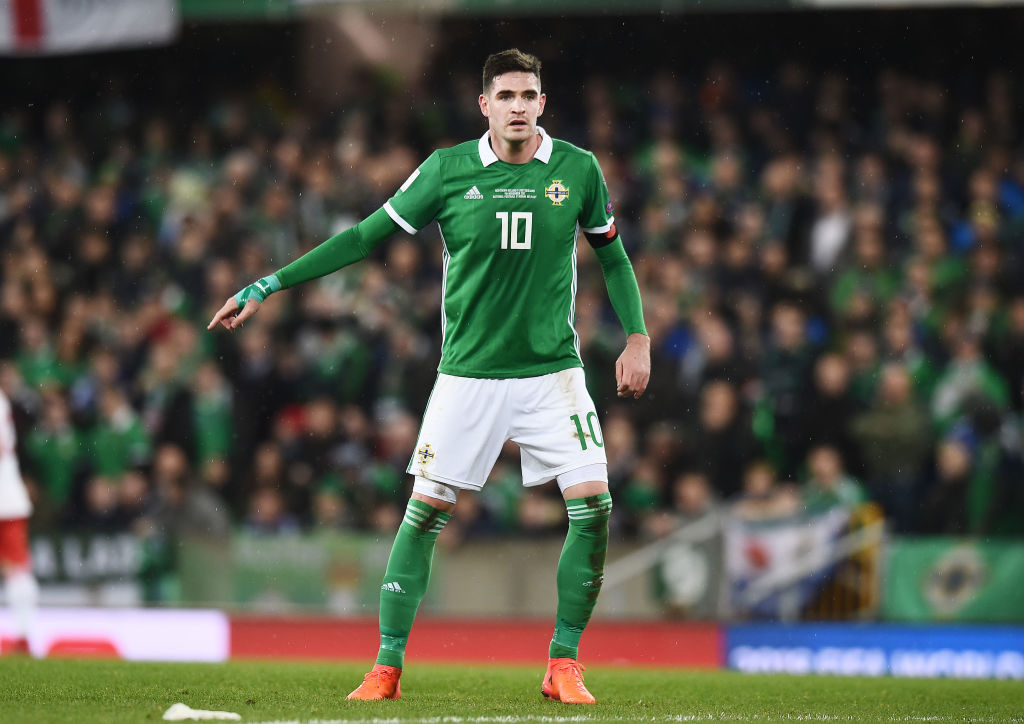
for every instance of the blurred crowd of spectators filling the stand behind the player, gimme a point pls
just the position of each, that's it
(832, 278)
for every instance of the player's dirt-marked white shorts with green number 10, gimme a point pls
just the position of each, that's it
(467, 421)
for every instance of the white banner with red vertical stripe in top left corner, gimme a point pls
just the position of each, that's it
(45, 27)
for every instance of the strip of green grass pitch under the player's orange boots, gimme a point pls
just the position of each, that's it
(87, 692)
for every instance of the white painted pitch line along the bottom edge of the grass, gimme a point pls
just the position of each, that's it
(721, 717)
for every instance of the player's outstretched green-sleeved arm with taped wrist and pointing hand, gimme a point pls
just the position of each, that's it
(342, 250)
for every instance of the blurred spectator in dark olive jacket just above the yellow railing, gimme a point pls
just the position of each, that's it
(894, 438)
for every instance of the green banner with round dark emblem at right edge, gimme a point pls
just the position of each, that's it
(950, 579)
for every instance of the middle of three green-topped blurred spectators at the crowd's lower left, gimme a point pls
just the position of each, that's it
(118, 442)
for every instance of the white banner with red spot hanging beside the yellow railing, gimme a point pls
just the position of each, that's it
(775, 568)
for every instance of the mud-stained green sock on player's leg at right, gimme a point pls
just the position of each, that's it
(581, 572)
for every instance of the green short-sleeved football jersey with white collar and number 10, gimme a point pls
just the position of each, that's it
(510, 247)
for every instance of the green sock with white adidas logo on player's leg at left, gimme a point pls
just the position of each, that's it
(407, 578)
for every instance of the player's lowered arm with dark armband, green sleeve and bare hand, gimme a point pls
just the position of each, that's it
(633, 366)
